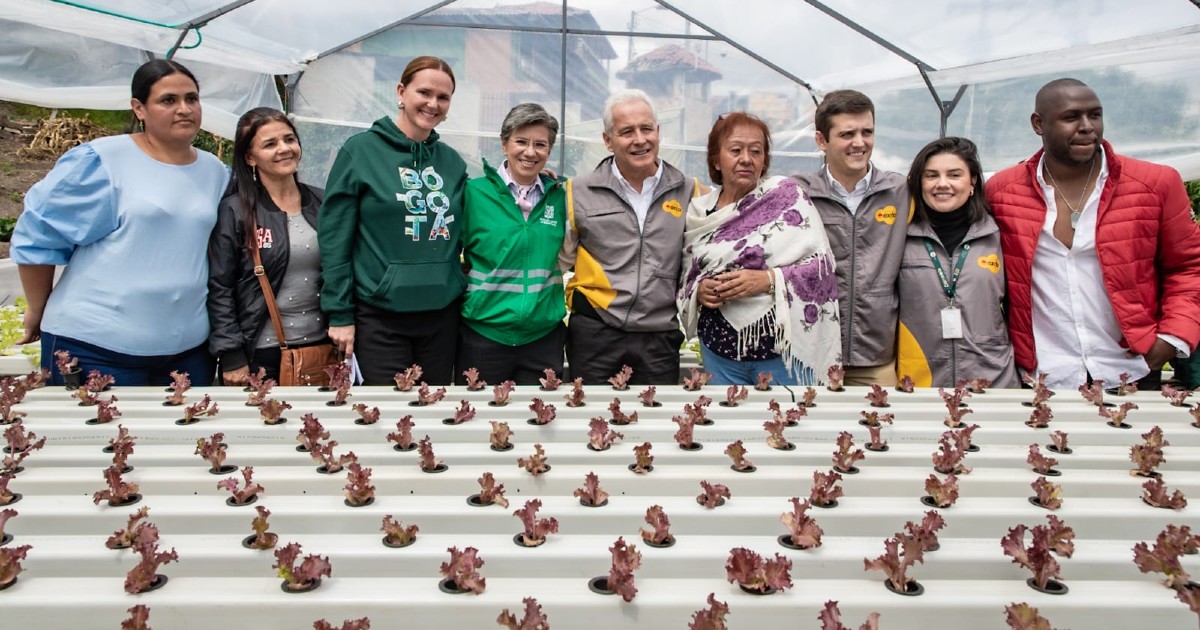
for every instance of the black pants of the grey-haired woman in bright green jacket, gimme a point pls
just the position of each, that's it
(497, 363)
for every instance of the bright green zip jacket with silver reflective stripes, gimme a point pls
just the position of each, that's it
(515, 290)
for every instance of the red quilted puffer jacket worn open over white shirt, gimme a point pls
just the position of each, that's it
(1145, 238)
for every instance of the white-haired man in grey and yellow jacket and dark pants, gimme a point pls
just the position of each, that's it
(625, 239)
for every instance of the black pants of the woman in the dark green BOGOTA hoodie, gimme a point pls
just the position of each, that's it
(387, 343)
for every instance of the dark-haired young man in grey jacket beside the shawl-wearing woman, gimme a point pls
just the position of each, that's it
(866, 214)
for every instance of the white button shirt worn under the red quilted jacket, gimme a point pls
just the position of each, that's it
(1075, 328)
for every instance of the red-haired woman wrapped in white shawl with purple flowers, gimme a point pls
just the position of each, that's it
(759, 285)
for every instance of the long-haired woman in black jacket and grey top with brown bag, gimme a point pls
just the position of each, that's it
(266, 191)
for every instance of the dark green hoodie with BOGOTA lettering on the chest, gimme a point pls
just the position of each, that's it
(388, 229)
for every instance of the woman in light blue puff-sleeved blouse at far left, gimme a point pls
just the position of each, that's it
(130, 219)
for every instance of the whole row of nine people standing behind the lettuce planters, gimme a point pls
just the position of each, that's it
(1079, 263)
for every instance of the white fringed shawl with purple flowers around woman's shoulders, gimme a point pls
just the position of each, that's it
(773, 227)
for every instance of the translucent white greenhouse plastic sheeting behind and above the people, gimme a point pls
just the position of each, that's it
(698, 58)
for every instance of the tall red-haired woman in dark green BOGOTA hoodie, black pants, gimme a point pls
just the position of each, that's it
(389, 236)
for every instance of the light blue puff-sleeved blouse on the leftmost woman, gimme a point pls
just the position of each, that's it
(133, 233)
